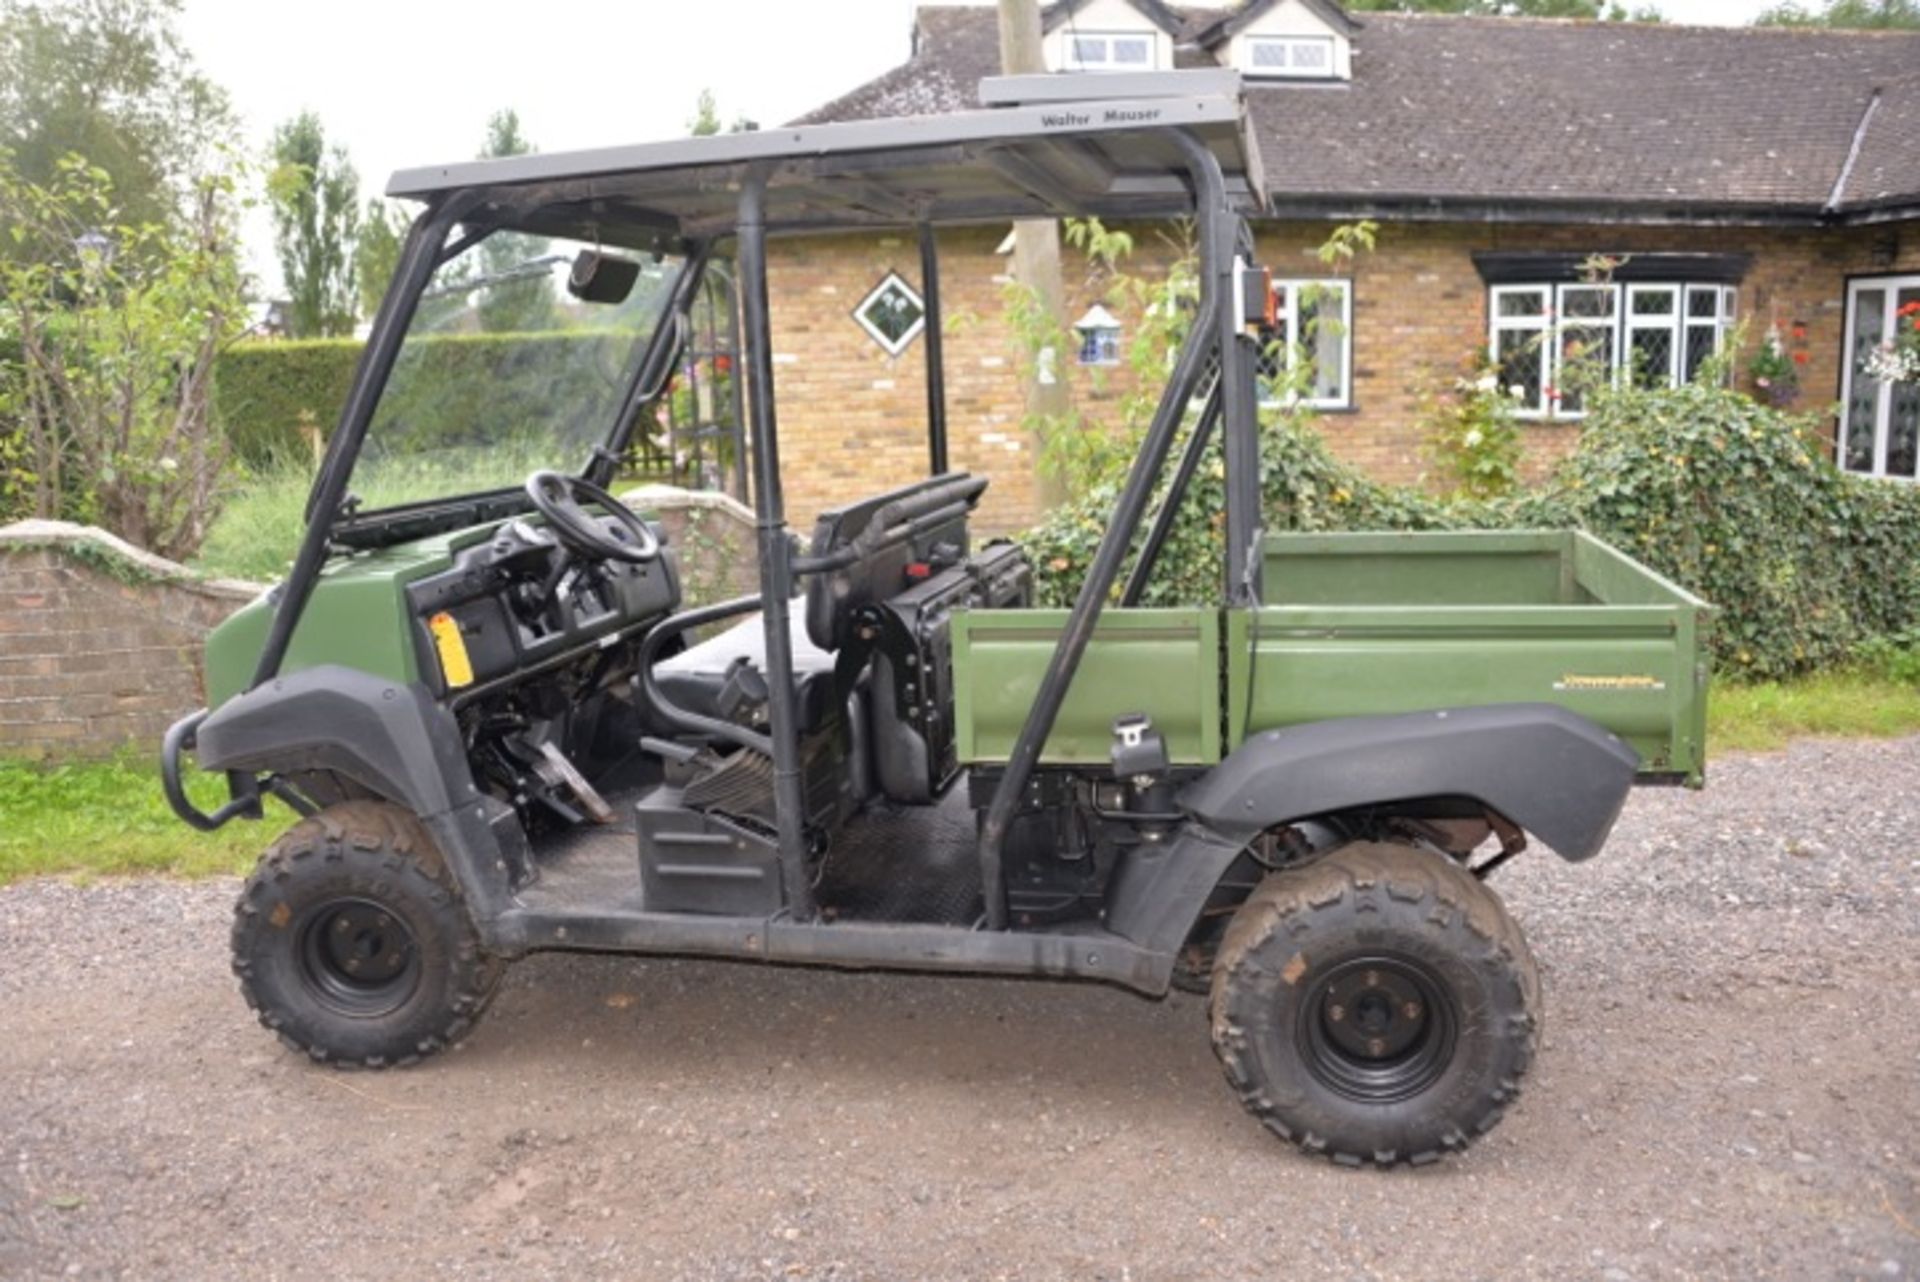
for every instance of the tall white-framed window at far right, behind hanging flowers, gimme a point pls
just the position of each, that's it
(1879, 421)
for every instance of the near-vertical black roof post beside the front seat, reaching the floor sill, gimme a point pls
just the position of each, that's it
(777, 552)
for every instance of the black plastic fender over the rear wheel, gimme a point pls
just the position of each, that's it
(1541, 767)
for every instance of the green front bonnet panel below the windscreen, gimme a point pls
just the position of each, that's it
(356, 619)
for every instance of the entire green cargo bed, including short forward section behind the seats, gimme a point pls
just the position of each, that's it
(1370, 625)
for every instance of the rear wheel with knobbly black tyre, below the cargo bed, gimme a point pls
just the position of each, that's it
(1376, 1007)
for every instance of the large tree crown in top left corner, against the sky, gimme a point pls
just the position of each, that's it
(108, 80)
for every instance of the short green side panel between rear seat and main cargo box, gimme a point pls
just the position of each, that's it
(1161, 663)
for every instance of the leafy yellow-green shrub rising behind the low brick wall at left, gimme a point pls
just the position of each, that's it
(116, 327)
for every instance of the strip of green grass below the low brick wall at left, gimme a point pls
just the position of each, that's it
(110, 819)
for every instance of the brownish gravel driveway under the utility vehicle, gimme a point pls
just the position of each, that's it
(1731, 1089)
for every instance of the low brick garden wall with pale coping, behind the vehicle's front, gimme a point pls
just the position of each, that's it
(101, 642)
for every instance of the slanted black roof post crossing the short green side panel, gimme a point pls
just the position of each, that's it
(1211, 323)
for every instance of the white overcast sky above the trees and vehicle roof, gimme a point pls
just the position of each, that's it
(412, 83)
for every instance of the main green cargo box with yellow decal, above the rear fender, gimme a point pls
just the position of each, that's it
(1372, 625)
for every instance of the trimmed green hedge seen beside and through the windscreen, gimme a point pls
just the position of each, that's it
(458, 389)
